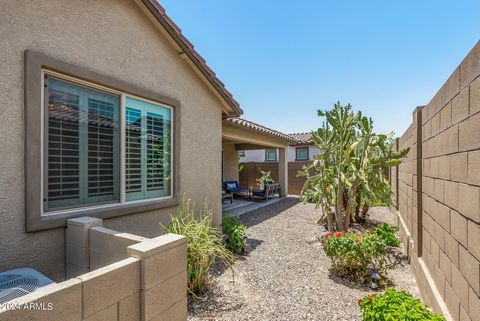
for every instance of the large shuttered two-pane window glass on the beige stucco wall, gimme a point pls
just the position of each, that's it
(86, 163)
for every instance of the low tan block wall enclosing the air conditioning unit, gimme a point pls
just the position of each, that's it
(112, 276)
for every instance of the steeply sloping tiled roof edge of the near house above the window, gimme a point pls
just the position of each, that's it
(176, 33)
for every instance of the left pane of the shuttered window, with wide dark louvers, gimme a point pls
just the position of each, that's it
(82, 146)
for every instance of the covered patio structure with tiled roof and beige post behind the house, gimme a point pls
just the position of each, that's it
(239, 134)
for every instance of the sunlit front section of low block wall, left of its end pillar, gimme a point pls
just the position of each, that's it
(109, 293)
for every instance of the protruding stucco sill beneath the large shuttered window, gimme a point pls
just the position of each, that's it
(50, 221)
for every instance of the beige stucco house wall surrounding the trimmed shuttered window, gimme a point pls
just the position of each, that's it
(113, 38)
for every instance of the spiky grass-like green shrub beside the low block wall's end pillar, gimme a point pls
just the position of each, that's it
(204, 243)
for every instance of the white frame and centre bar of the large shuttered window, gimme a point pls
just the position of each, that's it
(123, 96)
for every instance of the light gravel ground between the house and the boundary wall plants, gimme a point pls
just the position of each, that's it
(285, 275)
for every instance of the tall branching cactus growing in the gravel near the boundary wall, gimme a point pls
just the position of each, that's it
(348, 171)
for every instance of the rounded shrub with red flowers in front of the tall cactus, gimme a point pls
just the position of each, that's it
(355, 255)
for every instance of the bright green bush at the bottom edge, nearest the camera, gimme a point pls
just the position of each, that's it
(395, 306)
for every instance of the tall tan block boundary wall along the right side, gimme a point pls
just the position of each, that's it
(438, 194)
